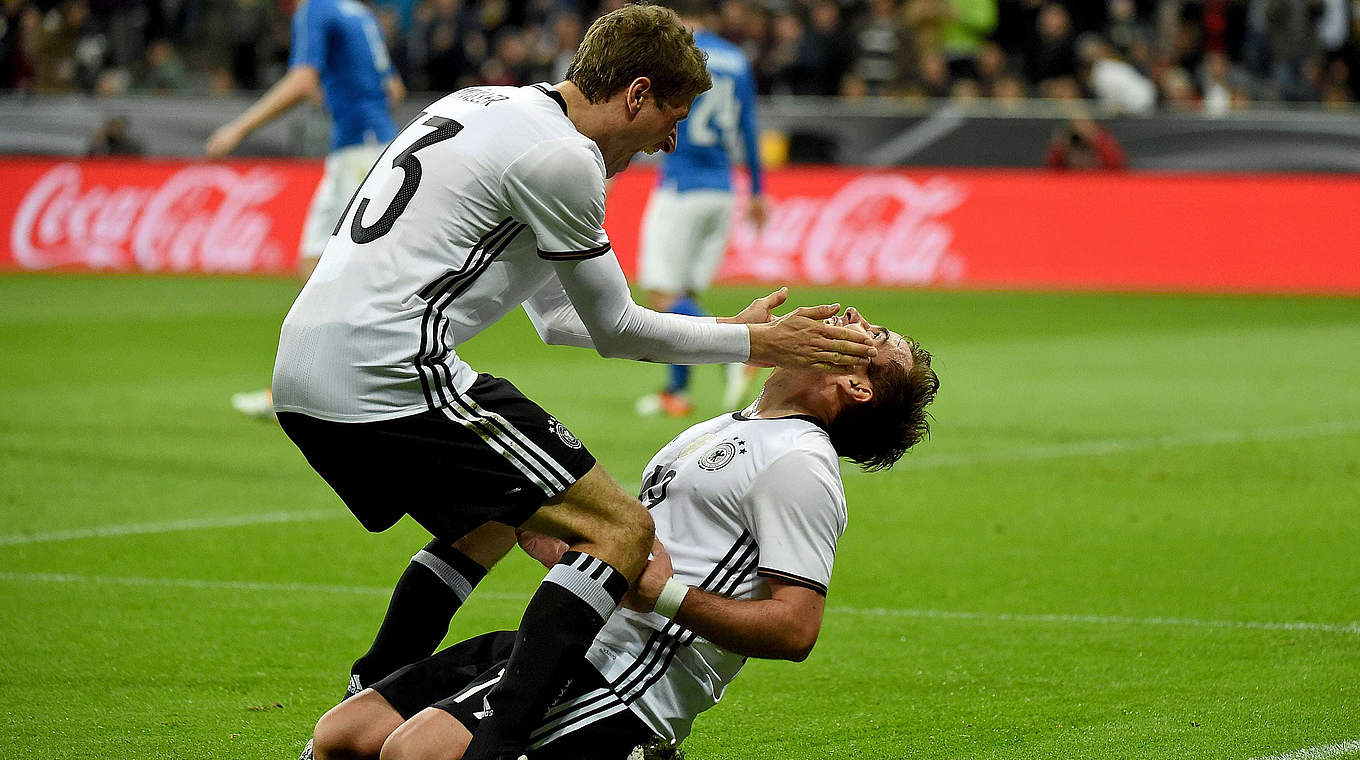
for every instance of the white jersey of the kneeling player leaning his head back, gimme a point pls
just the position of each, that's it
(736, 501)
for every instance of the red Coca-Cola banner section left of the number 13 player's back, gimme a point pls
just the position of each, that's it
(154, 215)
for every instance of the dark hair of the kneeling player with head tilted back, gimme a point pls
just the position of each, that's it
(878, 433)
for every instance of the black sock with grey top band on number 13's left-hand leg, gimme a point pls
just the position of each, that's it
(435, 585)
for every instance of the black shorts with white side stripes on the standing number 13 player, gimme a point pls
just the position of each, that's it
(492, 455)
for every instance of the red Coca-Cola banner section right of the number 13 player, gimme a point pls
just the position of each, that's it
(966, 229)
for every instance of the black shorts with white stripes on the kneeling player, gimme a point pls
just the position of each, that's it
(579, 725)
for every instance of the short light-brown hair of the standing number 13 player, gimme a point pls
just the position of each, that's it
(640, 41)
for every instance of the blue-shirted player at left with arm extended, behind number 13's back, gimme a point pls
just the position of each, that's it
(338, 58)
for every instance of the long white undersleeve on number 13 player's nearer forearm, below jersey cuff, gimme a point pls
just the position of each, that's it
(624, 330)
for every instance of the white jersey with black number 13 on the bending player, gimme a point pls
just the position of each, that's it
(455, 226)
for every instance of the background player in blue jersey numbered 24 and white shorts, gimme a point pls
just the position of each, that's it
(689, 218)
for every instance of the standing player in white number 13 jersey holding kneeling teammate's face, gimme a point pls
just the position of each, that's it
(489, 201)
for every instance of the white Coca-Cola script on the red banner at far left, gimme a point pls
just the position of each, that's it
(201, 218)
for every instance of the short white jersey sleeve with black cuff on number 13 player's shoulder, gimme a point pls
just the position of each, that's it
(558, 191)
